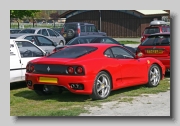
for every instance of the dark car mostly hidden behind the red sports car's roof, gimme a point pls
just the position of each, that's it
(93, 39)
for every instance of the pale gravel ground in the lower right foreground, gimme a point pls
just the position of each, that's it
(151, 105)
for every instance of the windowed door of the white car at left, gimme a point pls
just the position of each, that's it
(28, 52)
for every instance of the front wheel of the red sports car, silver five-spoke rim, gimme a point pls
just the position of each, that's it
(154, 76)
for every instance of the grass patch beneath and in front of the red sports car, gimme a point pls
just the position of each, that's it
(25, 102)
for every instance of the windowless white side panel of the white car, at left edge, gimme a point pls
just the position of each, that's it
(15, 63)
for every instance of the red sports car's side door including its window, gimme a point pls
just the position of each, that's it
(132, 71)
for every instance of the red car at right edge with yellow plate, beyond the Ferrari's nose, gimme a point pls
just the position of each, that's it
(157, 46)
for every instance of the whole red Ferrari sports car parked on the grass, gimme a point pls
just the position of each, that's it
(92, 69)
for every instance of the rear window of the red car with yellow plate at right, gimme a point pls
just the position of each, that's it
(160, 40)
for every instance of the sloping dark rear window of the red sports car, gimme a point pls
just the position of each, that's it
(73, 52)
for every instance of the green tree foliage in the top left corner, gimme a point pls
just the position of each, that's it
(20, 14)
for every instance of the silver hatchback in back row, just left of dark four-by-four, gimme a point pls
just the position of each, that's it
(49, 33)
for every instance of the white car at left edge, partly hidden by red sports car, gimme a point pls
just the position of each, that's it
(21, 52)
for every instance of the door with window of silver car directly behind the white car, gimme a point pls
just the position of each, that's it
(44, 43)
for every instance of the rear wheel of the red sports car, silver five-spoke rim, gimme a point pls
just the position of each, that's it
(103, 84)
